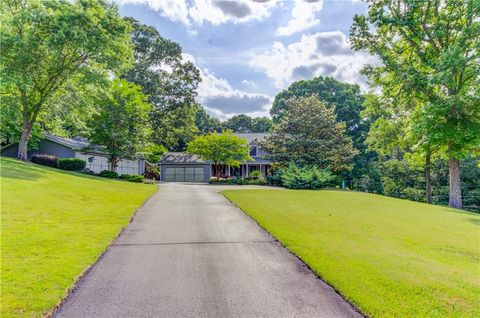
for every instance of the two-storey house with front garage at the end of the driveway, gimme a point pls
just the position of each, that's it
(183, 167)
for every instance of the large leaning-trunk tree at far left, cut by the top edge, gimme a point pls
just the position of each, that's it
(47, 43)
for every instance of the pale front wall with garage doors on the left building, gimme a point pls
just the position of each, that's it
(100, 162)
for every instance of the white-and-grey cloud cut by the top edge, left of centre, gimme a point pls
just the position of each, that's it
(215, 12)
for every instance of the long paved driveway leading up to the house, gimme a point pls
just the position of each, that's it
(191, 253)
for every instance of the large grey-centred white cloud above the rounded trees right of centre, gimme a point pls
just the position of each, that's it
(323, 53)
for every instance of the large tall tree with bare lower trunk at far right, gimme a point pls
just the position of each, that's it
(431, 49)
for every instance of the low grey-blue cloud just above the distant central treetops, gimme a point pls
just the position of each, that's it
(222, 100)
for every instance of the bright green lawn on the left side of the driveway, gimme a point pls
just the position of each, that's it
(54, 224)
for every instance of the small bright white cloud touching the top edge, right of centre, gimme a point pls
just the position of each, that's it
(303, 17)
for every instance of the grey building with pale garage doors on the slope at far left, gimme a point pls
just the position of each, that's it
(61, 147)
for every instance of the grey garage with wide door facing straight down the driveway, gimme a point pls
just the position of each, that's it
(183, 167)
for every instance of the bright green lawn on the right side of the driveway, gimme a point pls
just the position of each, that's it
(389, 257)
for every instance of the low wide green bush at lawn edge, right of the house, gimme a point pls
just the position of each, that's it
(295, 177)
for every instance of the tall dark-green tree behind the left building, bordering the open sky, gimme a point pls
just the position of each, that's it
(169, 81)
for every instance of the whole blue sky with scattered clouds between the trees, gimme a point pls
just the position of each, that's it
(249, 50)
